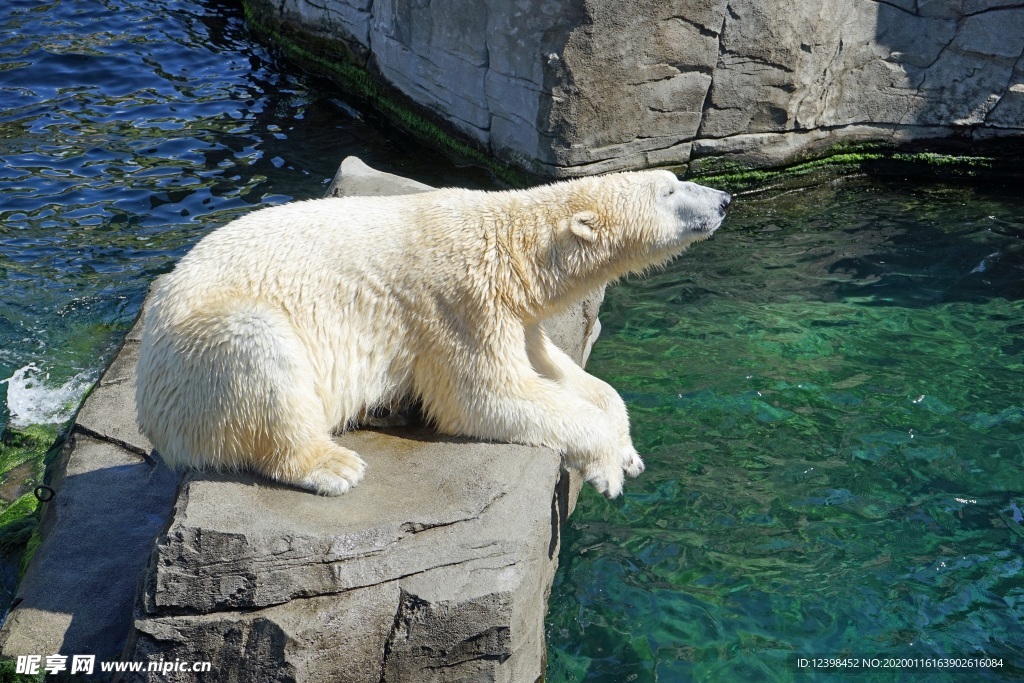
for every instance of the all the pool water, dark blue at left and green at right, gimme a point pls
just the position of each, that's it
(830, 395)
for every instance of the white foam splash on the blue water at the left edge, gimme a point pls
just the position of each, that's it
(33, 400)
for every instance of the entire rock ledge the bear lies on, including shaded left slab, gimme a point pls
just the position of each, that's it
(437, 568)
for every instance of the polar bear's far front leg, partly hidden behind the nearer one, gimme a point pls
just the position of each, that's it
(551, 362)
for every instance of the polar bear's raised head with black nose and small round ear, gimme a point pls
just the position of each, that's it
(632, 222)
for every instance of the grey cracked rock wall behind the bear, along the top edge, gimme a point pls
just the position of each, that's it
(587, 87)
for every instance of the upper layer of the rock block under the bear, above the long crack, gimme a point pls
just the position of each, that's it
(240, 542)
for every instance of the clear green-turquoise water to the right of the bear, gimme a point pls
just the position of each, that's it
(830, 399)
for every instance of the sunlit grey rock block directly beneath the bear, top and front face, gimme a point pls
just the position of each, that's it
(442, 560)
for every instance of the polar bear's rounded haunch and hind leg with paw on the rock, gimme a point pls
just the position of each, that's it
(231, 388)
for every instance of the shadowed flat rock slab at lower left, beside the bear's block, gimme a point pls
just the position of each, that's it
(76, 597)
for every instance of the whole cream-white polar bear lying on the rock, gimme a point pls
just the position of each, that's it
(286, 325)
